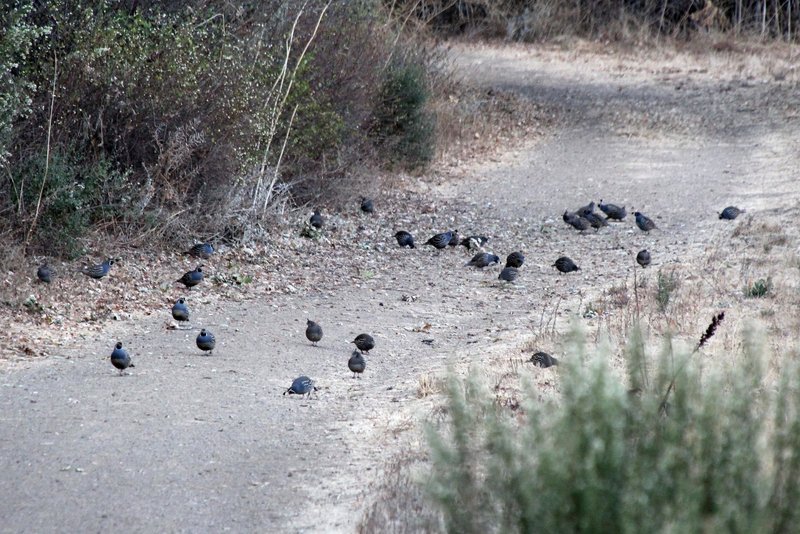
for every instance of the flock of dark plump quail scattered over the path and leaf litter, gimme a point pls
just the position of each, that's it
(582, 219)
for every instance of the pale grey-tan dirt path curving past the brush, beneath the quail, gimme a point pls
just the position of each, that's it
(193, 443)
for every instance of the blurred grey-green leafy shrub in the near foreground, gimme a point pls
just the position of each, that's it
(721, 454)
